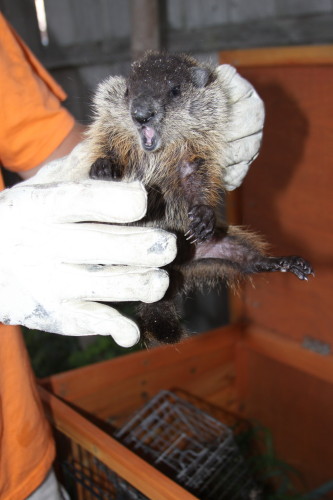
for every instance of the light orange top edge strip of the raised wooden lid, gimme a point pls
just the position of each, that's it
(279, 56)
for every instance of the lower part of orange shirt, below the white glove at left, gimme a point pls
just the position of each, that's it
(27, 447)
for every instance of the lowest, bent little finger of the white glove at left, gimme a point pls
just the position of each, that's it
(89, 318)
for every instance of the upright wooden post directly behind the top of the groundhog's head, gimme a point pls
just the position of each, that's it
(145, 31)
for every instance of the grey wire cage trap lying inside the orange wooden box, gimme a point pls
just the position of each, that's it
(191, 447)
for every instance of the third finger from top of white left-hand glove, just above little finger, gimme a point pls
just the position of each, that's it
(115, 283)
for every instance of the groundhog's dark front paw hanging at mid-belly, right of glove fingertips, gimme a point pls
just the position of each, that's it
(202, 223)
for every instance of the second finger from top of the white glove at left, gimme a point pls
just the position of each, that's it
(104, 244)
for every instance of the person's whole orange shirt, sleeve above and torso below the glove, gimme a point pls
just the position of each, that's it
(32, 124)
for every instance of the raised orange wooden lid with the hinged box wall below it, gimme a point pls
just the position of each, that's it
(285, 364)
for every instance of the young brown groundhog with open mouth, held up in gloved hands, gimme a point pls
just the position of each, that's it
(165, 126)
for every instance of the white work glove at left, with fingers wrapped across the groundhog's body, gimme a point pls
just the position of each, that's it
(53, 270)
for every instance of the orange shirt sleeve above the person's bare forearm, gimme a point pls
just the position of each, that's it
(33, 123)
